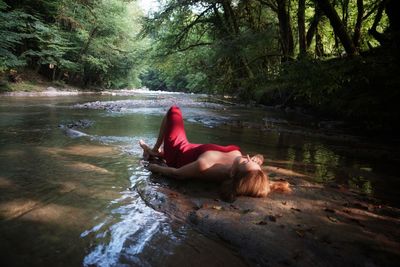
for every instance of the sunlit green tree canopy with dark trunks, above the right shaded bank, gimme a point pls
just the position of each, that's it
(232, 46)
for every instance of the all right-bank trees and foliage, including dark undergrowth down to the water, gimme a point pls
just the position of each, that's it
(333, 56)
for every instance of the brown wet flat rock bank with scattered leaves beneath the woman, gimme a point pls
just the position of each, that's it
(315, 225)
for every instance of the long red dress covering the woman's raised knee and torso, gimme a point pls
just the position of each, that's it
(177, 149)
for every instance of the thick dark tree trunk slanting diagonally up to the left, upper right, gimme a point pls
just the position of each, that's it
(338, 26)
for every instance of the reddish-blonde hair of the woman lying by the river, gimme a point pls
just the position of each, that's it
(252, 183)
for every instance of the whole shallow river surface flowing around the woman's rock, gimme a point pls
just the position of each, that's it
(69, 198)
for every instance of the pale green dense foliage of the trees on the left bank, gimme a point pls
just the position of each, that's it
(85, 42)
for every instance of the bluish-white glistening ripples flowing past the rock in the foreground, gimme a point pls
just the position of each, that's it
(124, 234)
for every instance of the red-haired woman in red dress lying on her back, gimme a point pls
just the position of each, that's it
(241, 174)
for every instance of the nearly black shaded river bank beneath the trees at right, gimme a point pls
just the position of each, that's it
(360, 91)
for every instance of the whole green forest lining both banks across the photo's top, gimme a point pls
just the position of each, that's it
(336, 58)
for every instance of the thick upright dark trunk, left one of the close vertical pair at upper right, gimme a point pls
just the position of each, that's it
(285, 29)
